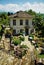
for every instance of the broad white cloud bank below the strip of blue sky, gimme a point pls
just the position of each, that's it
(37, 7)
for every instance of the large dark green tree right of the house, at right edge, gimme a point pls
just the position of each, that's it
(38, 23)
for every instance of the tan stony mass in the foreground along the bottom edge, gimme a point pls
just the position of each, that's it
(8, 59)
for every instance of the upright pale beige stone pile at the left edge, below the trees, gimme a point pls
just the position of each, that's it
(5, 43)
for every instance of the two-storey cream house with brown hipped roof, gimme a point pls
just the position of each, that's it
(21, 22)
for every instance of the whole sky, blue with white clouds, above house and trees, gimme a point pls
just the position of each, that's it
(16, 5)
